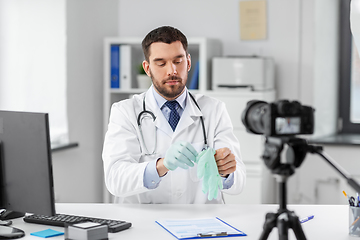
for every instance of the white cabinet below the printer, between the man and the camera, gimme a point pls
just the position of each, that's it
(251, 145)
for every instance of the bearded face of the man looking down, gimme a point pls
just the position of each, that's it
(168, 68)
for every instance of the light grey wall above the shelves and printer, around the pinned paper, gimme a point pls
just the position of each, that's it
(301, 38)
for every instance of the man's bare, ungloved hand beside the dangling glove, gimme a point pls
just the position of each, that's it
(225, 161)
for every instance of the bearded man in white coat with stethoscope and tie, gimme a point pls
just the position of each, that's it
(155, 161)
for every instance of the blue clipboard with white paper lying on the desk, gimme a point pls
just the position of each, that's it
(199, 228)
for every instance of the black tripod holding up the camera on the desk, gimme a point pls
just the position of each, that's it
(284, 219)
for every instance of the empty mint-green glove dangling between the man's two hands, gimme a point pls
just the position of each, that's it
(207, 169)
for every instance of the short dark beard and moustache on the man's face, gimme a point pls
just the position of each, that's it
(170, 92)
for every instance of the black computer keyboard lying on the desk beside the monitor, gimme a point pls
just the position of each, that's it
(61, 219)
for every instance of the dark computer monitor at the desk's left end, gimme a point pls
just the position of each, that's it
(25, 164)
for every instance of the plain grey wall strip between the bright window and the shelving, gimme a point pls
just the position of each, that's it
(78, 172)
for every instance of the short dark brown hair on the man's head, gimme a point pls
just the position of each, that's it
(165, 34)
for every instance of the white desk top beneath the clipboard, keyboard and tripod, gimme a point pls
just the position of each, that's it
(330, 222)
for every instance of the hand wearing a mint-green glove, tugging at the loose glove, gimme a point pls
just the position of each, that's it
(180, 154)
